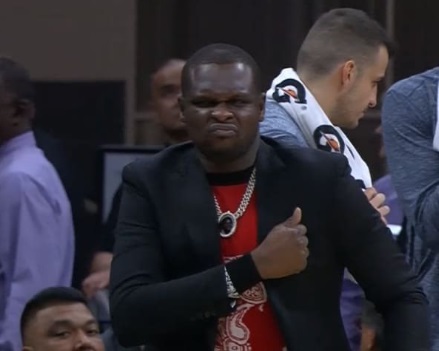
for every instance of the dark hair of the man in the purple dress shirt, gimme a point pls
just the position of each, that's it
(15, 79)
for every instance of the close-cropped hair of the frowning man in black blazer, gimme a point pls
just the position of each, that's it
(219, 54)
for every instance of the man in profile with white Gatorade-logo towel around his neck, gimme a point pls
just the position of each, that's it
(339, 66)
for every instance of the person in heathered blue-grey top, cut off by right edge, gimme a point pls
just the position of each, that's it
(411, 140)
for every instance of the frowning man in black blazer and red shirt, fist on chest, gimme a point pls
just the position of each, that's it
(233, 242)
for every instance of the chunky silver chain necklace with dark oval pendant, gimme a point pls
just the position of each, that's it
(228, 221)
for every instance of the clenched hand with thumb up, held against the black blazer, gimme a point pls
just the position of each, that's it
(284, 251)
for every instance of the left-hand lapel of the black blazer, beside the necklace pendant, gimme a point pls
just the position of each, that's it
(198, 214)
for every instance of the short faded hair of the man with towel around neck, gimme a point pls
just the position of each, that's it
(340, 35)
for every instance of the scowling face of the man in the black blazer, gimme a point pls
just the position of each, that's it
(222, 110)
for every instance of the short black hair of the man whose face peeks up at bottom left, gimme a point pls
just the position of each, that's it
(46, 298)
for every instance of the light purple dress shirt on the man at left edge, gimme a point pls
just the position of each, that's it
(36, 232)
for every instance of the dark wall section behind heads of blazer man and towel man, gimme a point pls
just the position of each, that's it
(271, 31)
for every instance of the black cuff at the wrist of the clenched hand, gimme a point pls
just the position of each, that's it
(243, 273)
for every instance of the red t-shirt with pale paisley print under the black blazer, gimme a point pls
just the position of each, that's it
(252, 326)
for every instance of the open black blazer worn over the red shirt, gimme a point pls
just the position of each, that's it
(167, 282)
